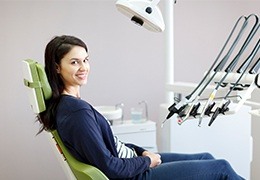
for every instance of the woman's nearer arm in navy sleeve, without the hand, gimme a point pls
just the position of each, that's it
(84, 136)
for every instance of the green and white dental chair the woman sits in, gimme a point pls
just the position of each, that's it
(39, 90)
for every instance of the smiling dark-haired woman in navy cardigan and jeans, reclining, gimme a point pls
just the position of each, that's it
(87, 134)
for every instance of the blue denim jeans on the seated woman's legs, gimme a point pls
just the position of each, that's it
(200, 166)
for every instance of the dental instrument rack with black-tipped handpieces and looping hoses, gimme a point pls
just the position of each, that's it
(193, 105)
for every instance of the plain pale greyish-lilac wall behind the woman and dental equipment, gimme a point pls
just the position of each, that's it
(127, 64)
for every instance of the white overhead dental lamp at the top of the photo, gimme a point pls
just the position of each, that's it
(143, 12)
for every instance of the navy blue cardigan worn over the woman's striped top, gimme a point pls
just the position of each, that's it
(88, 136)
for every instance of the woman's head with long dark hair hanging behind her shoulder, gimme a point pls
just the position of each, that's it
(66, 67)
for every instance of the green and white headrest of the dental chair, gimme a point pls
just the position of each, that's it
(36, 80)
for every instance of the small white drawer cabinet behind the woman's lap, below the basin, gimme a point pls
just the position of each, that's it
(141, 134)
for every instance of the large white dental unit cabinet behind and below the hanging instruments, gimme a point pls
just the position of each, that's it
(228, 138)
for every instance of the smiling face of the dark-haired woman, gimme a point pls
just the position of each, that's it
(74, 68)
